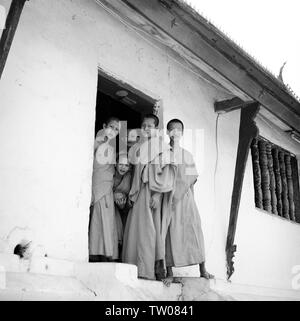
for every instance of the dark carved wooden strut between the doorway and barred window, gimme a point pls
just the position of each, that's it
(247, 132)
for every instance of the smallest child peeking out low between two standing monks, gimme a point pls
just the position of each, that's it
(121, 188)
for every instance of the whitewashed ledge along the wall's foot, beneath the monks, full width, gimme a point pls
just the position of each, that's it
(43, 278)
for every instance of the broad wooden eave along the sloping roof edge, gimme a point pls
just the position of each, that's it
(218, 53)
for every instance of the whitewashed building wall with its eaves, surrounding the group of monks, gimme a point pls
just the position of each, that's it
(69, 59)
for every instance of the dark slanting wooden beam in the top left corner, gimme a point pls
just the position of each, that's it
(8, 33)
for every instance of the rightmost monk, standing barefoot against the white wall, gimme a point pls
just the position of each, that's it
(181, 226)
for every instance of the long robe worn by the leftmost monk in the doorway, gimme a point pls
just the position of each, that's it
(103, 236)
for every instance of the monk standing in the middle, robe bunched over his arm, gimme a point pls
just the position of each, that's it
(153, 177)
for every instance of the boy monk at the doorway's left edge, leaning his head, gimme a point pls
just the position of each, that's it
(103, 237)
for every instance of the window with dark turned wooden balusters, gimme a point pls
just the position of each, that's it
(276, 179)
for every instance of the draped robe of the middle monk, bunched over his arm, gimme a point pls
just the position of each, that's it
(142, 237)
